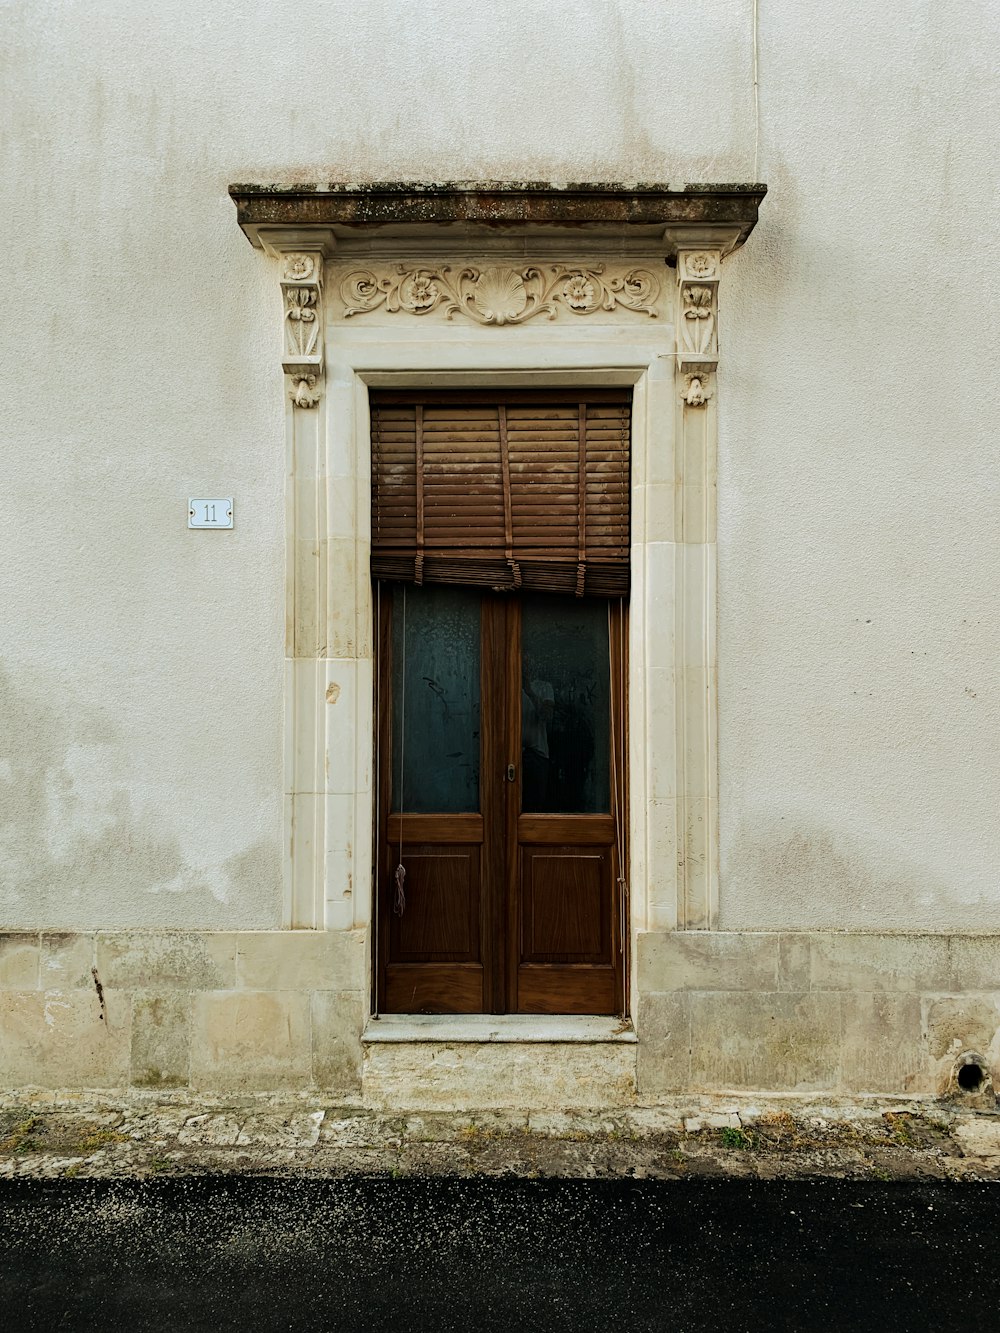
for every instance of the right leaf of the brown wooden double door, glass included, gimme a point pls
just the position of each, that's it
(566, 882)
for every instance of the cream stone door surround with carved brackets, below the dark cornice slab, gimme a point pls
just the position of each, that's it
(351, 325)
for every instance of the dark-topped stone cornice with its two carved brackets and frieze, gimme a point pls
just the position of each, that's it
(495, 254)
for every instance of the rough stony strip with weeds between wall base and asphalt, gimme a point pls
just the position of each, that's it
(46, 1135)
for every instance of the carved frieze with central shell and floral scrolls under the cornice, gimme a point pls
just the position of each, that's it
(499, 294)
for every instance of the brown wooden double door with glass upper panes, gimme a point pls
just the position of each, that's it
(501, 776)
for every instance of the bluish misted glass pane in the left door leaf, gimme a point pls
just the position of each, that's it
(435, 700)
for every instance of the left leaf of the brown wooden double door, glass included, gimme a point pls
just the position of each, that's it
(434, 951)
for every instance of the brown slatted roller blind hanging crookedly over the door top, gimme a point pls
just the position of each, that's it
(523, 490)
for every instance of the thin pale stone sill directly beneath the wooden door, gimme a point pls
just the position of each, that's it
(490, 1027)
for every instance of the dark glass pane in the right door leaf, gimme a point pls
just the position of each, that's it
(566, 688)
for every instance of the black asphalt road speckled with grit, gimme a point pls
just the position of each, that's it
(359, 1256)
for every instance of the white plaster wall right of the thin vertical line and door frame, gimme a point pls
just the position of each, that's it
(859, 557)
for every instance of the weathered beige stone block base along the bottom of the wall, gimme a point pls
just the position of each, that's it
(803, 1014)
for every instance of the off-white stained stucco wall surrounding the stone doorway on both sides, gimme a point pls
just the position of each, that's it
(142, 663)
